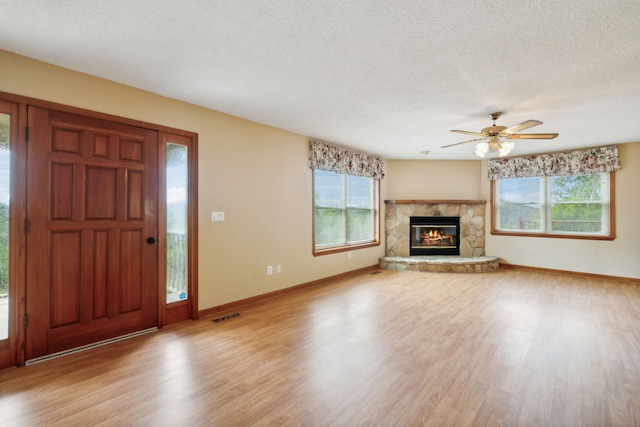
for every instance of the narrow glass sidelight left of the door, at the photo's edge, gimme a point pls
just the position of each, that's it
(5, 173)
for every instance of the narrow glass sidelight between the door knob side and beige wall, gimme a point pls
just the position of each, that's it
(177, 222)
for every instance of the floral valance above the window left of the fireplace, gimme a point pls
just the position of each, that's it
(336, 159)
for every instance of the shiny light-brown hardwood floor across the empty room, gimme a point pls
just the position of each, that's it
(512, 347)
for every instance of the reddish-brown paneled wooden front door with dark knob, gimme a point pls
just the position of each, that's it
(92, 207)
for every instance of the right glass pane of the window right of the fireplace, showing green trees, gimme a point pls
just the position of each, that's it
(577, 203)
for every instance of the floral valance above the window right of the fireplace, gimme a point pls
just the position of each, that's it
(594, 160)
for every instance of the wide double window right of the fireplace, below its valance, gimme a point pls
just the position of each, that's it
(575, 206)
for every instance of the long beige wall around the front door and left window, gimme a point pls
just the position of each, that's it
(257, 175)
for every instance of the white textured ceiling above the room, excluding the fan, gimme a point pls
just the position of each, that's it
(388, 77)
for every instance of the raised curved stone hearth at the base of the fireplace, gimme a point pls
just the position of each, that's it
(441, 264)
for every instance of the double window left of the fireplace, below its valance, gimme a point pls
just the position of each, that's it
(345, 211)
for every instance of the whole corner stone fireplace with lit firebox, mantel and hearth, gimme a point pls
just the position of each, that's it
(427, 246)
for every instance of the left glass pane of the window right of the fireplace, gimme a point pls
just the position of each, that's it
(520, 204)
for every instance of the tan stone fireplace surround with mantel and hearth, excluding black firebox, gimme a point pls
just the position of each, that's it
(472, 236)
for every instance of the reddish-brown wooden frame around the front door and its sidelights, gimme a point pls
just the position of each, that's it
(167, 314)
